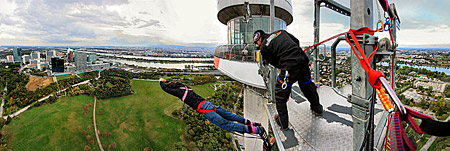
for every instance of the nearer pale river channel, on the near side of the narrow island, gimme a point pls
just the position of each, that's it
(157, 65)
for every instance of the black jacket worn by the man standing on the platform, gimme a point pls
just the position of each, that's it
(283, 51)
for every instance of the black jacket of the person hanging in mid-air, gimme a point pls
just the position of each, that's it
(192, 99)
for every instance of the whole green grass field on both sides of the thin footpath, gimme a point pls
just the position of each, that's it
(135, 121)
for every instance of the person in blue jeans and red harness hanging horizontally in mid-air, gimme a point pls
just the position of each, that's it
(213, 113)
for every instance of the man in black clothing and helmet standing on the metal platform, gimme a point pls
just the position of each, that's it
(283, 51)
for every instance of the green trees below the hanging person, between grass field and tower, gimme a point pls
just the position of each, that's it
(202, 134)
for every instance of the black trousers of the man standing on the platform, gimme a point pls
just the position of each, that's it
(282, 95)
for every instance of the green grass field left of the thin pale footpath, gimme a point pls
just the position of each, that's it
(53, 127)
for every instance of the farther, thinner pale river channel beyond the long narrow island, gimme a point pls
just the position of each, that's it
(157, 58)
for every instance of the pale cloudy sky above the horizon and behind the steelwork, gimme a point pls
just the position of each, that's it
(187, 22)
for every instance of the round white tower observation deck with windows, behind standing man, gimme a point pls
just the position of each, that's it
(242, 20)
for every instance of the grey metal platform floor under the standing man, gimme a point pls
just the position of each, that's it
(307, 131)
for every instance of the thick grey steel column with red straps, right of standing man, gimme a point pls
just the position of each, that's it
(361, 16)
